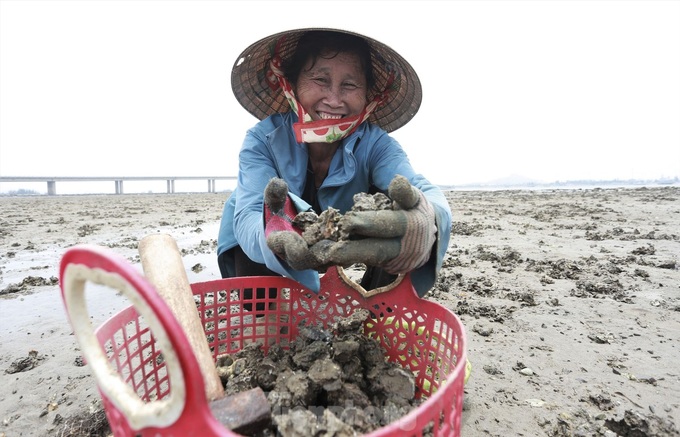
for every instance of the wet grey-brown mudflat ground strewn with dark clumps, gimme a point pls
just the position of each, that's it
(570, 301)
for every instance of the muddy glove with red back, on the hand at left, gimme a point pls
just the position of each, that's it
(283, 238)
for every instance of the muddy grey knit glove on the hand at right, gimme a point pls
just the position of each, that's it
(398, 240)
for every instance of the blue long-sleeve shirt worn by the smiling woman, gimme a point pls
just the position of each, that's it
(369, 157)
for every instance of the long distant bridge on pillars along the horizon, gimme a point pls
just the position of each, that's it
(117, 180)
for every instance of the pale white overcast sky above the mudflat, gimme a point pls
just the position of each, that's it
(542, 89)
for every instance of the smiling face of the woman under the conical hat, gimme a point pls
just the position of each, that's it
(332, 86)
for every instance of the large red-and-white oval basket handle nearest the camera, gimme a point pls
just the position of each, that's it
(90, 263)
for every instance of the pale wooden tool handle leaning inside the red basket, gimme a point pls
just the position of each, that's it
(164, 269)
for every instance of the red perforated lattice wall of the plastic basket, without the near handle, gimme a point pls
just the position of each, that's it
(419, 334)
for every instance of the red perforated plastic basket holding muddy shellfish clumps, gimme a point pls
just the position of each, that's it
(150, 381)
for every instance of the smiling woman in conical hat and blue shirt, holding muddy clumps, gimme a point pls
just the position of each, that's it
(327, 100)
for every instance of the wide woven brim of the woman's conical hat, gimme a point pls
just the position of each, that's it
(250, 87)
